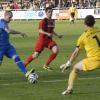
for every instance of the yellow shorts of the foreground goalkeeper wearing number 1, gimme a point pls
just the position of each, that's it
(91, 64)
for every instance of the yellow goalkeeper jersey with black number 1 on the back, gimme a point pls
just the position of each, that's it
(90, 40)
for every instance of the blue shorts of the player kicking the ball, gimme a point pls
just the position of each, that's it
(9, 51)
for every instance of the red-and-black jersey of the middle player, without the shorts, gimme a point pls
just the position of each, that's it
(48, 26)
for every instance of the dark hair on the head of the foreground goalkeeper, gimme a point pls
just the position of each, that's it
(89, 20)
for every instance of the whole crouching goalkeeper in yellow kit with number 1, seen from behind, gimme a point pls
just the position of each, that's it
(90, 41)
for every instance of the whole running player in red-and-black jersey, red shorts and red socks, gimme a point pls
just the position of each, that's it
(46, 31)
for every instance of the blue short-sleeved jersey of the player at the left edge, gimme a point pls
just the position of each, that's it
(4, 36)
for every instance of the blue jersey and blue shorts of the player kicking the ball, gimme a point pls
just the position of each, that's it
(5, 47)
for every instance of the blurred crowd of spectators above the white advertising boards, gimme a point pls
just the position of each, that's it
(42, 4)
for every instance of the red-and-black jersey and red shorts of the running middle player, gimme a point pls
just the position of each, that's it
(44, 40)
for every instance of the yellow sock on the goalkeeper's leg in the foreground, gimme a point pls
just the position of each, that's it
(71, 80)
